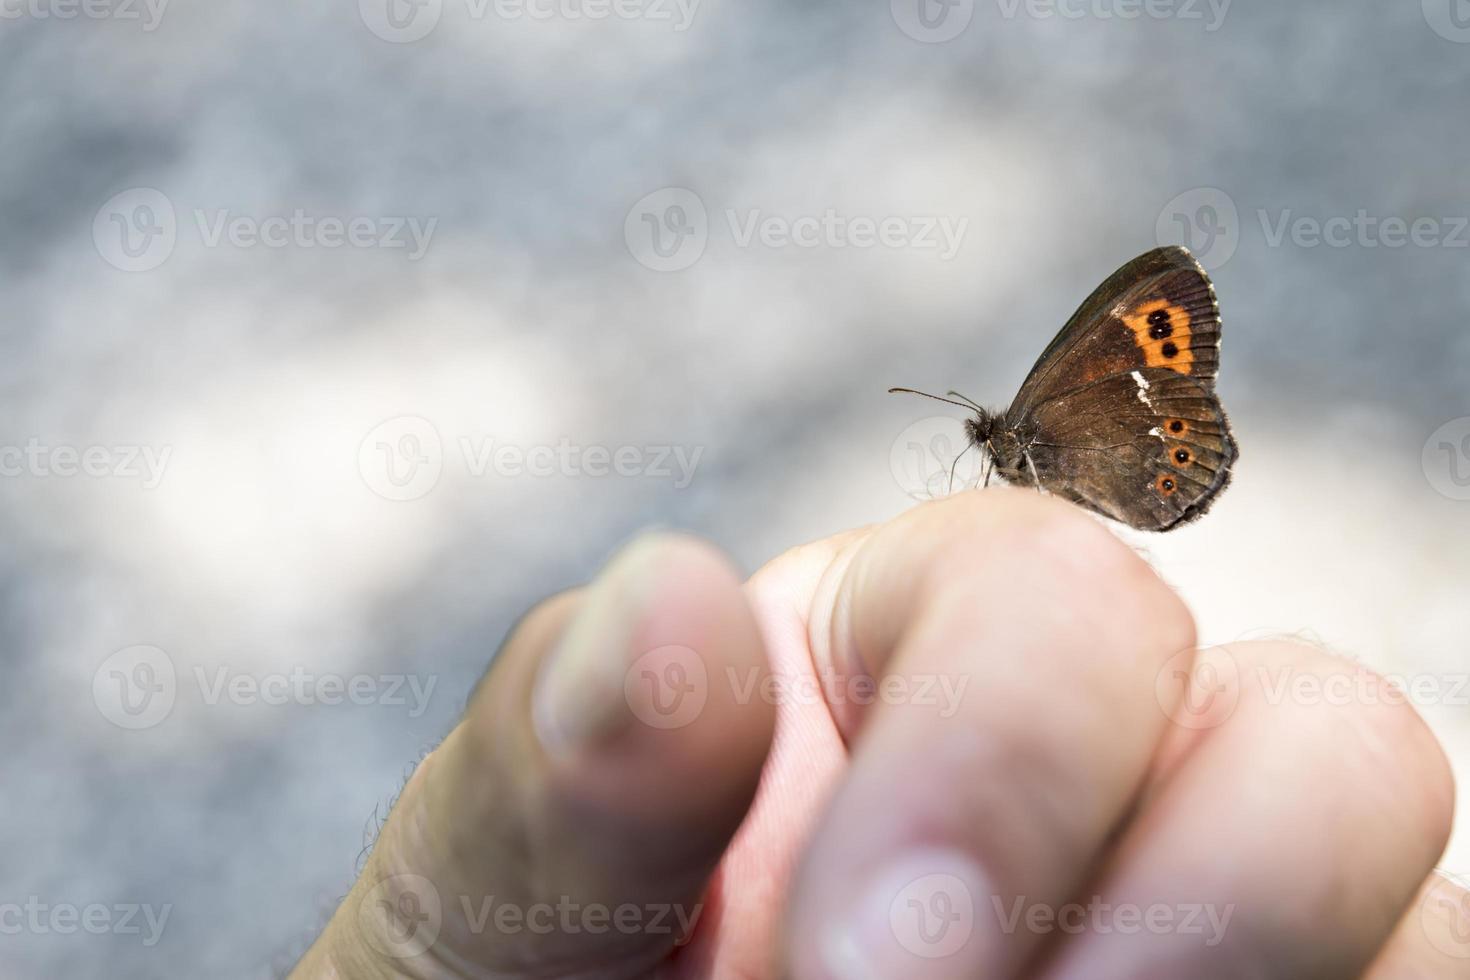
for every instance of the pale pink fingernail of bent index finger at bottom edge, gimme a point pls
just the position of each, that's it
(915, 919)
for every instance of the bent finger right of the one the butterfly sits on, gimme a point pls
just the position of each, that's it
(1287, 843)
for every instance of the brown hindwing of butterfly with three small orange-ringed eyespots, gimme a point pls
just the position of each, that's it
(1150, 449)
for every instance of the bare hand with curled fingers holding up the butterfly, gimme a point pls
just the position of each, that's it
(812, 826)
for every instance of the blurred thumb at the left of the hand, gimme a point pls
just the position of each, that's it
(570, 824)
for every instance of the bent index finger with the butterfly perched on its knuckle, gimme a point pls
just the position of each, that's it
(1047, 633)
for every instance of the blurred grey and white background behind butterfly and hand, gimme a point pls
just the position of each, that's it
(257, 436)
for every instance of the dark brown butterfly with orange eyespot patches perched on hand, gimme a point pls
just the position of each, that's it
(1119, 415)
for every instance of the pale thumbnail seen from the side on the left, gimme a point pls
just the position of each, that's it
(578, 697)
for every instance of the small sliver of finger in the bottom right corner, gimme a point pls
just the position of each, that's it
(1433, 941)
